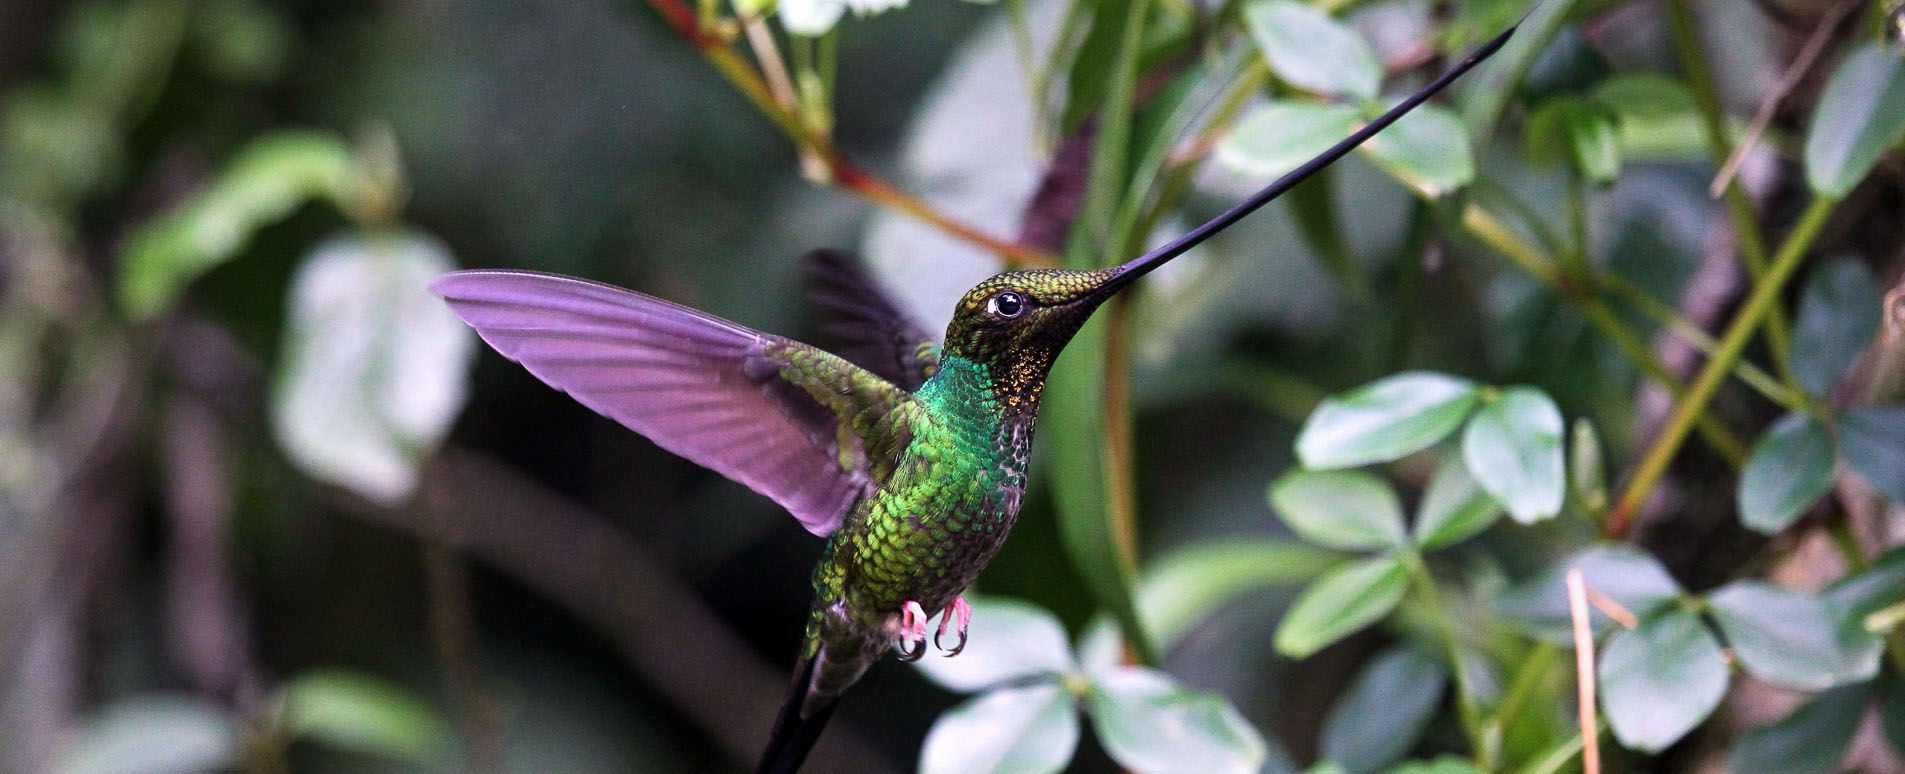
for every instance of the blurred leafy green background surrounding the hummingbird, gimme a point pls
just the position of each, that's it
(266, 506)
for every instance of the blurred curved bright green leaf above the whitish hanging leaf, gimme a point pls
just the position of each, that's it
(262, 186)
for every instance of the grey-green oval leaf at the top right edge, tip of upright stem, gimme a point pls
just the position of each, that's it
(1860, 115)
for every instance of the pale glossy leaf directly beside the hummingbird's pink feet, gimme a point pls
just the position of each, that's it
(1009, 642)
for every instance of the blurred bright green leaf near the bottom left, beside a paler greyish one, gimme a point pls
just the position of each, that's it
(357, 712)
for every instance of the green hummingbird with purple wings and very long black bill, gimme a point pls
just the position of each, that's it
(910, 457)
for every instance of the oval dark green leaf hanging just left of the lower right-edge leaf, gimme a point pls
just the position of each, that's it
(1792, 466)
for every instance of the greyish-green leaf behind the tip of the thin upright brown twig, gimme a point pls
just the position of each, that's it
(1626, 575)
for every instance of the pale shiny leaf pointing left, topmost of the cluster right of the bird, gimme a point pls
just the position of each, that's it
(1384, 420)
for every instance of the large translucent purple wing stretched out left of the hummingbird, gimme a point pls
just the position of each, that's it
(788, 420)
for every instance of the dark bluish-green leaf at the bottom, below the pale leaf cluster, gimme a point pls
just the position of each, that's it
(1384, 710)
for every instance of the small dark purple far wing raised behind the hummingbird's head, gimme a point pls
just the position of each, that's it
(866, 325)
